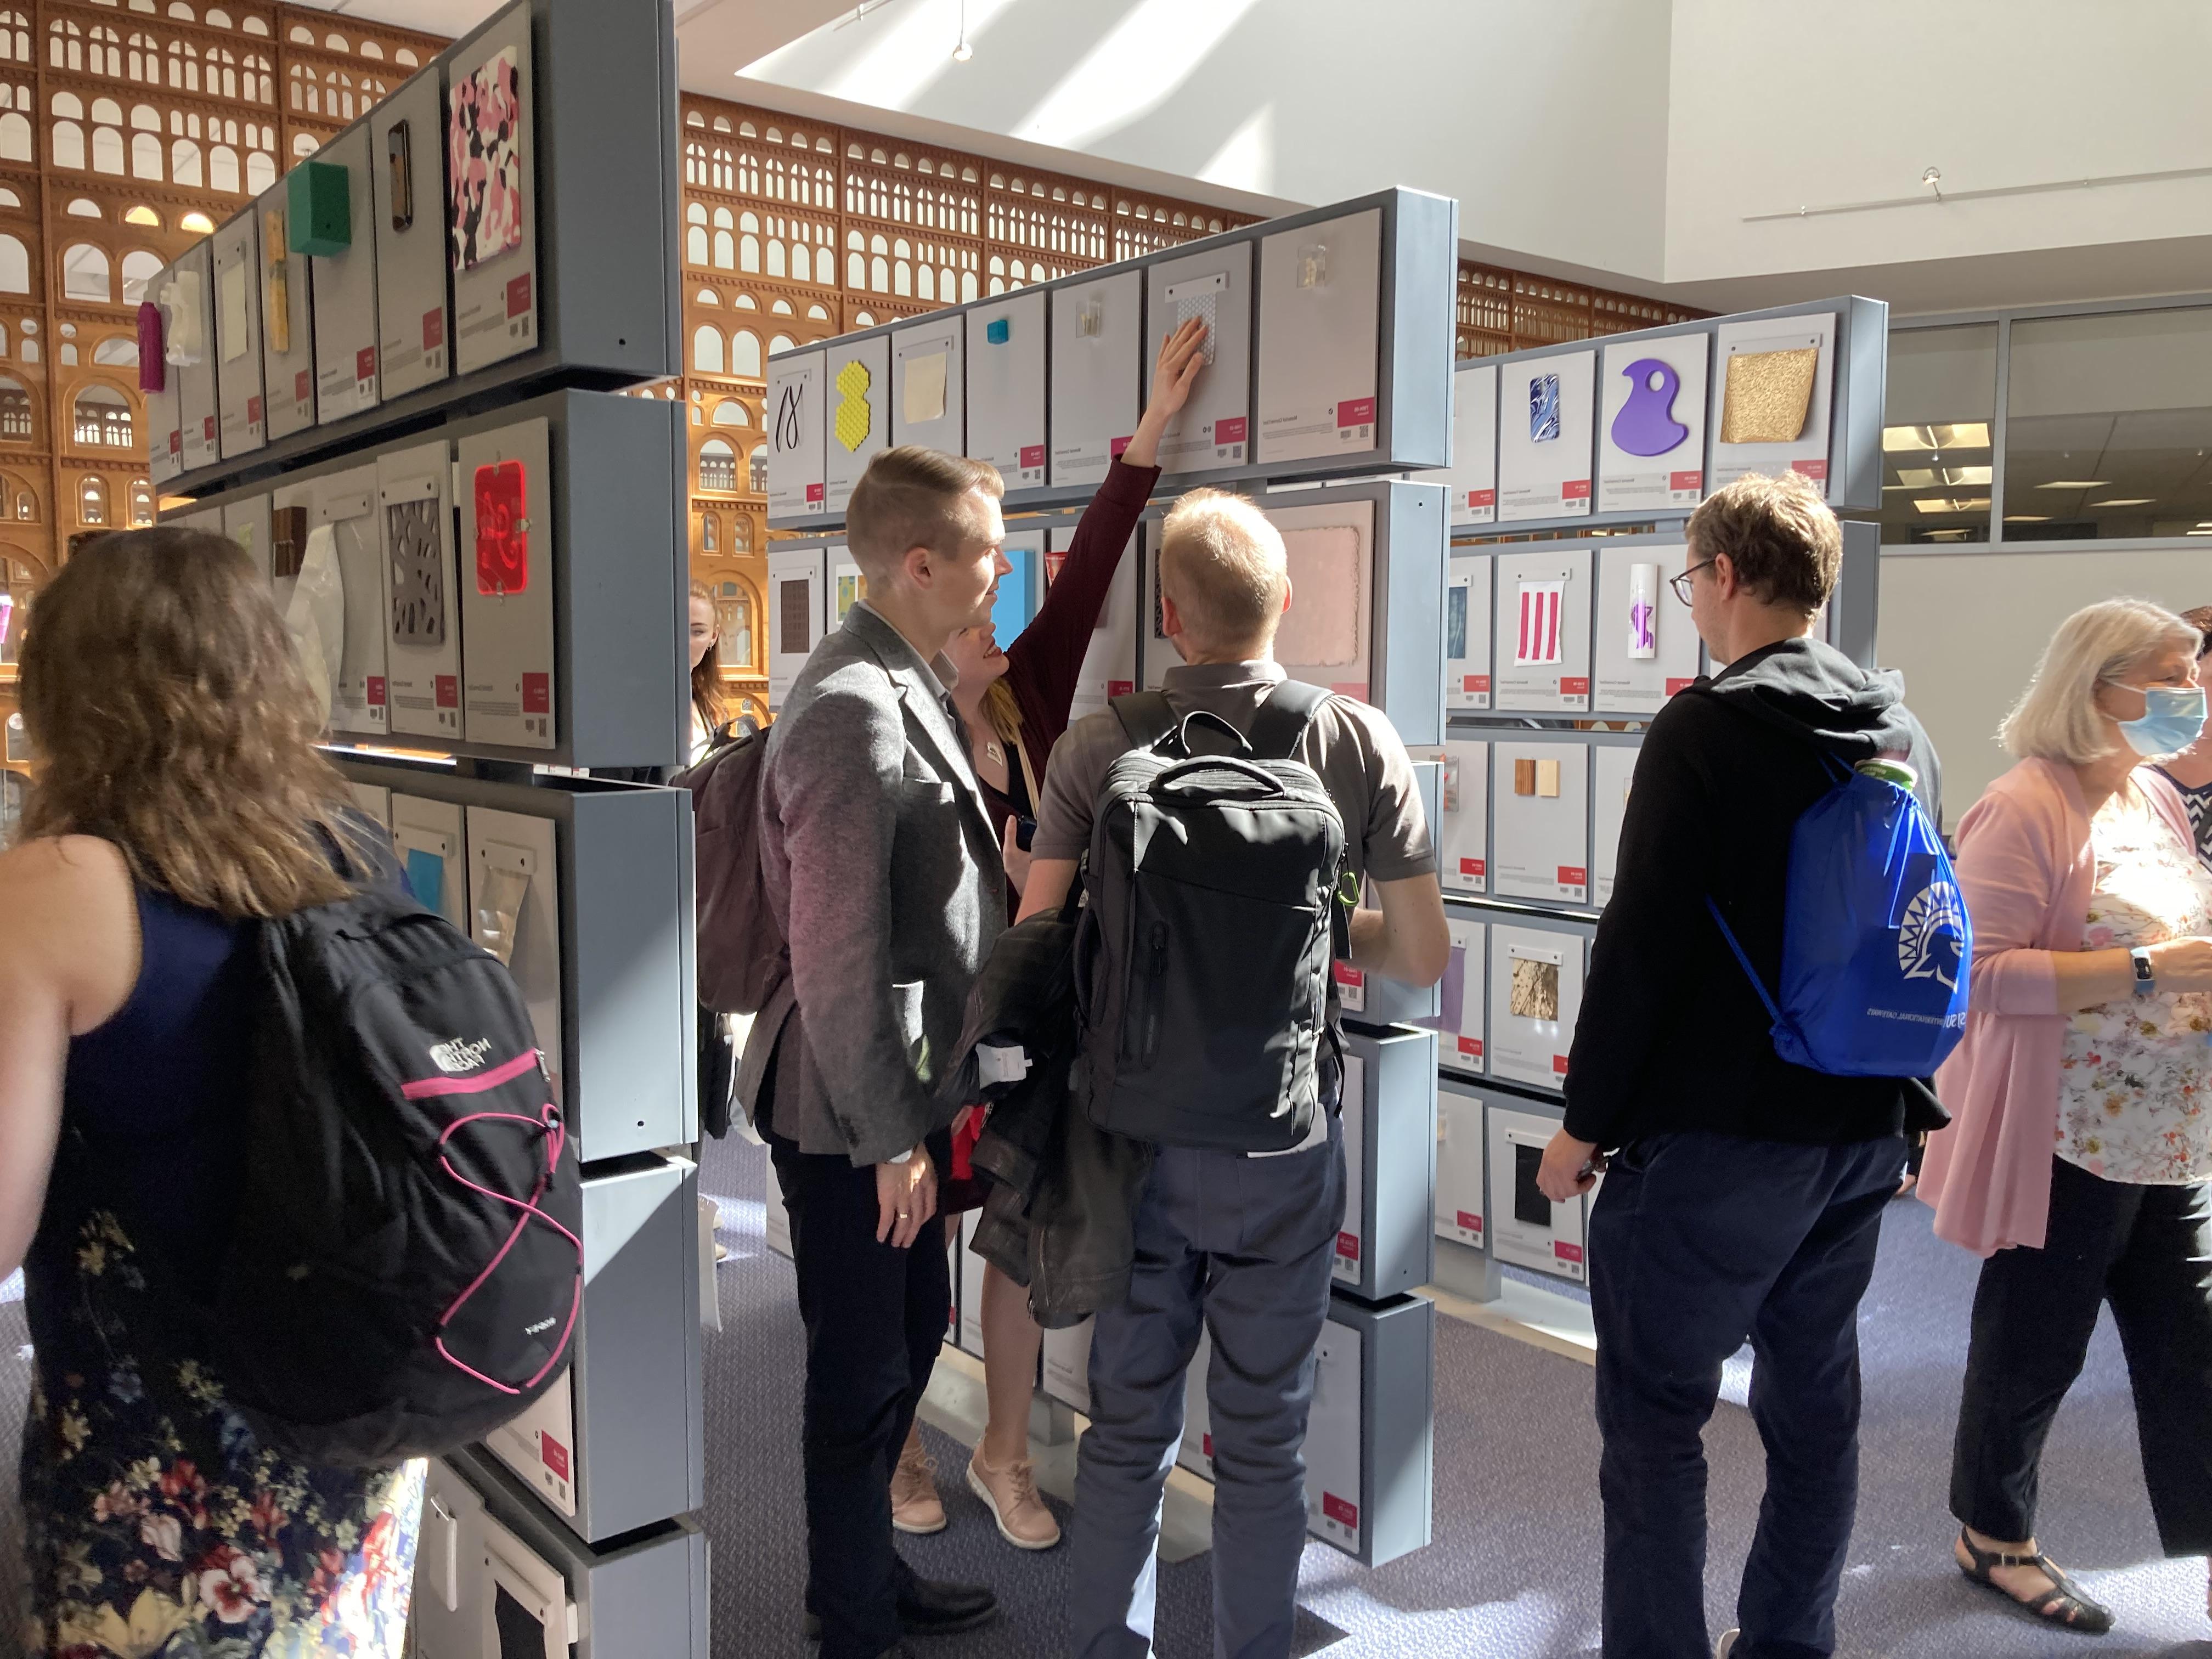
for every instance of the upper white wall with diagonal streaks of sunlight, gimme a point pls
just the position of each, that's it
(1545, 121)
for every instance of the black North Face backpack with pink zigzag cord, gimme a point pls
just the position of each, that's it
(406, 1271)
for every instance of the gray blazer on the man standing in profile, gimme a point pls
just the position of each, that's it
(884, 868)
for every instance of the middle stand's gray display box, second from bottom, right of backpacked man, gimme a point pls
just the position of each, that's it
(1386, 1246)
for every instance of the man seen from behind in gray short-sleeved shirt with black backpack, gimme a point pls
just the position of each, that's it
(1222, 822)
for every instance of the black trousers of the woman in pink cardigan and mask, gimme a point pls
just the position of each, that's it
(2149, 1253)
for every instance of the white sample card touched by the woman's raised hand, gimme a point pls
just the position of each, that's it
(1215, 428)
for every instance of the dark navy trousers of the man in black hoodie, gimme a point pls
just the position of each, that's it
(1700, 1242)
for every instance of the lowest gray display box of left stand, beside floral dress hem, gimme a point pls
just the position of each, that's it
(494, 1580)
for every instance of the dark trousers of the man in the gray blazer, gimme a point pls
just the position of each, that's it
(875, 1322)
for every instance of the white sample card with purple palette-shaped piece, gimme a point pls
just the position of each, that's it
(1651, 424)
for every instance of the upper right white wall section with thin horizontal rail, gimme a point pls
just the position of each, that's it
(1806, 103)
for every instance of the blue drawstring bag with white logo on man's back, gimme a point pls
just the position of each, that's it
(1875, 939)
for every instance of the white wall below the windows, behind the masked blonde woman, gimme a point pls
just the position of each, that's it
(1968, 632)
